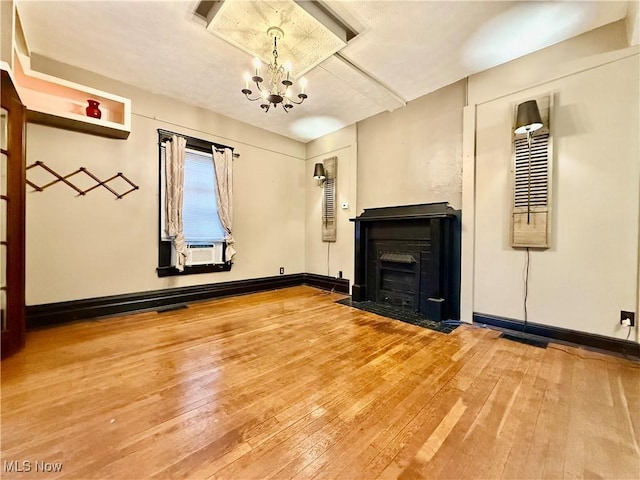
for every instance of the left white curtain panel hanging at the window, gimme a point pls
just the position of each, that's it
(174, 170)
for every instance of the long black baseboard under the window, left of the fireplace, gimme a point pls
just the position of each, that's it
(63, 312)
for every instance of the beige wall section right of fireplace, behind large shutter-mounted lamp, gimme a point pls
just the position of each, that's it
(590, 272)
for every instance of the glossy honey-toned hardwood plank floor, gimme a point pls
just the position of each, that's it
(288, 384)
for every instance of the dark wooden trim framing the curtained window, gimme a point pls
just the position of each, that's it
(164, 268)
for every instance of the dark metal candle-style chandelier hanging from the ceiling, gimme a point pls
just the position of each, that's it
(277, 88)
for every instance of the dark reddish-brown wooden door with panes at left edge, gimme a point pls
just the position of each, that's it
(12, 218)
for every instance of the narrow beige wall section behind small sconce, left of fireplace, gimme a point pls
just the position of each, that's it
(328, 258)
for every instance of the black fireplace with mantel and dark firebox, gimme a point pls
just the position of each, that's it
(409, 257)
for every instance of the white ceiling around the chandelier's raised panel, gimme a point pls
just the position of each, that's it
(403, 50)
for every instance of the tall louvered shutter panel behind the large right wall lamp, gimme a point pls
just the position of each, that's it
(531, 201)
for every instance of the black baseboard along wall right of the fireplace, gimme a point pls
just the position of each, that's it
(601, 342)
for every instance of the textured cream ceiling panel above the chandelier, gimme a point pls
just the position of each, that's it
(306, 41)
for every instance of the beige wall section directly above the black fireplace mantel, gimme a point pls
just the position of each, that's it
(413, 154)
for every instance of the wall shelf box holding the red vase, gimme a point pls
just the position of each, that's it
(59, 103)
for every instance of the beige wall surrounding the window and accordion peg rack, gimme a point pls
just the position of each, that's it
(91, 246)
